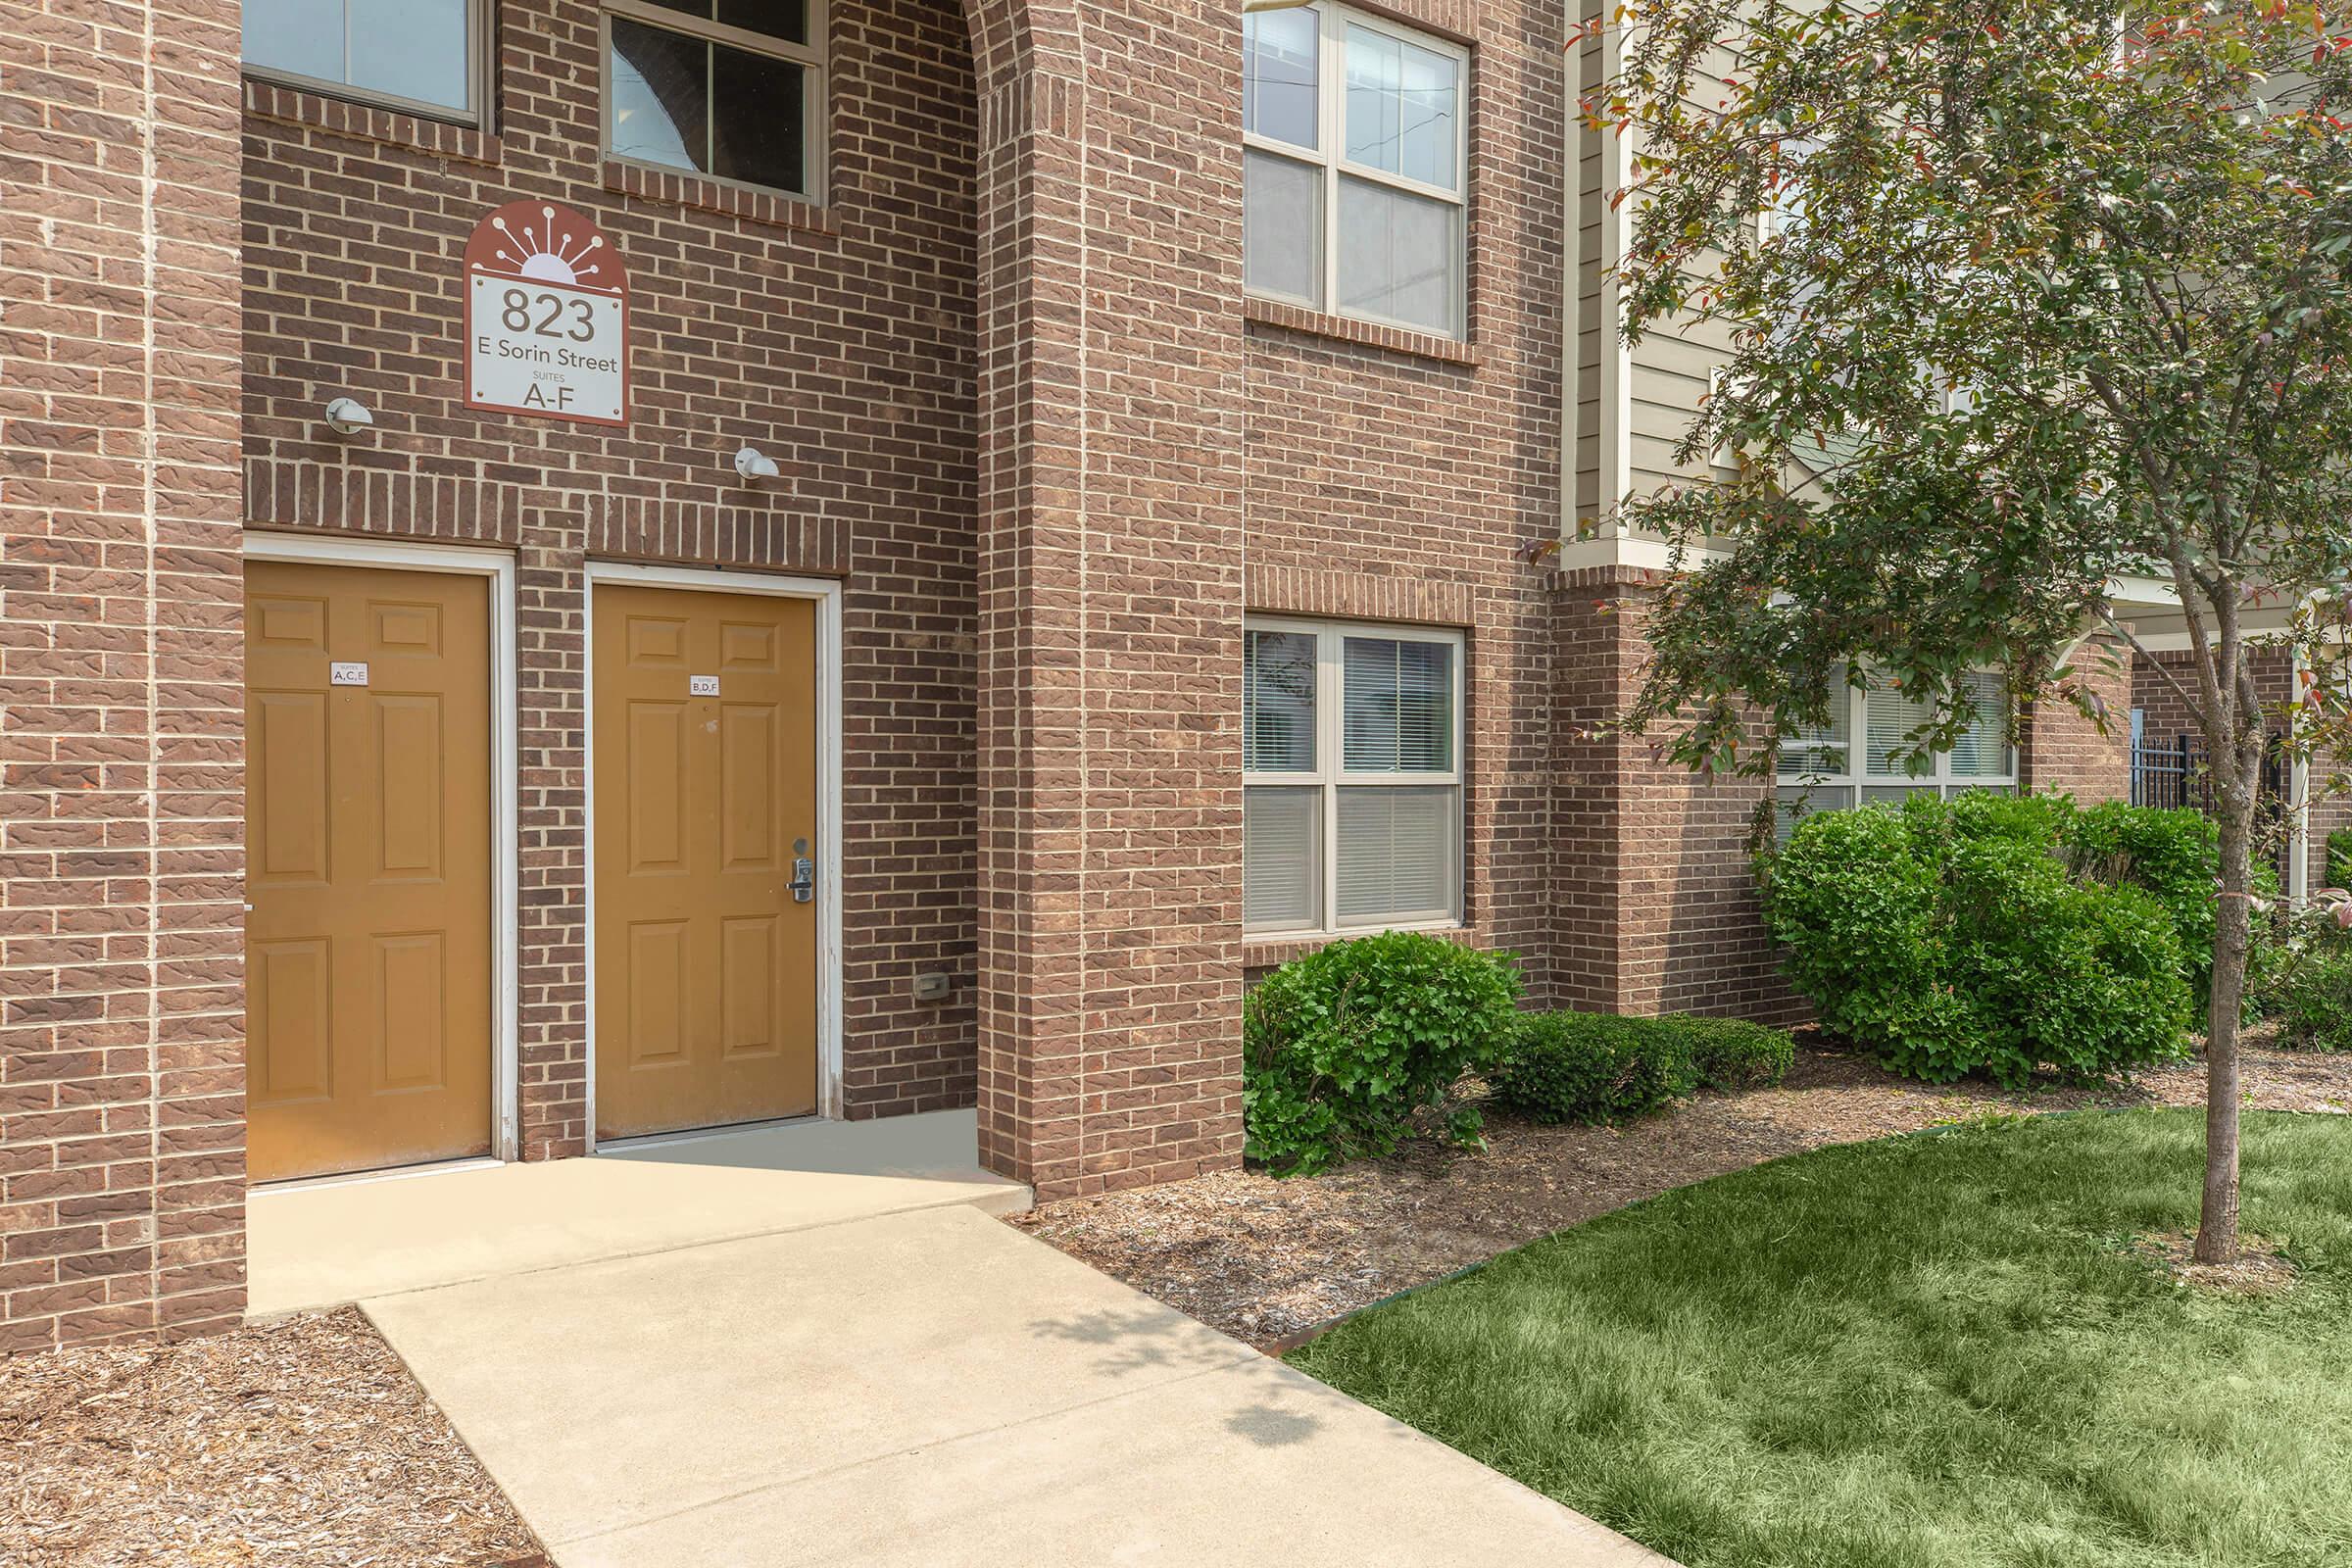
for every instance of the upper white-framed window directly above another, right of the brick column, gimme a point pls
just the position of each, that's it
(1356, 168)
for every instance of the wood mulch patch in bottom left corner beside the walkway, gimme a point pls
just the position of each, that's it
(302, 1445)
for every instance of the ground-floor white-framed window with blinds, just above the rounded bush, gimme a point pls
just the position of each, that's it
(1354, 777)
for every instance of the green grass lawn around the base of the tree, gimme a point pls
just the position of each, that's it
(1916, 1353)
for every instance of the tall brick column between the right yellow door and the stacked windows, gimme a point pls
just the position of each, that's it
(1111, 591)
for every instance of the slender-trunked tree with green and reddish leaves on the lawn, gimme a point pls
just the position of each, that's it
(2062, 293)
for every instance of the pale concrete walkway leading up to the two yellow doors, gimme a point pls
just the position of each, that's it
(909, 1386)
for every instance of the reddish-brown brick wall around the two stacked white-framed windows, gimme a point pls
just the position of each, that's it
(1396, 476)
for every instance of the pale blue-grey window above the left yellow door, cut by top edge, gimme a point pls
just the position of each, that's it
(410, 55)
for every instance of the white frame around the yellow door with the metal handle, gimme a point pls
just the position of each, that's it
(829, 789)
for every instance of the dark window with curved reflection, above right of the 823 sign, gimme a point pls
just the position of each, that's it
(723, 88)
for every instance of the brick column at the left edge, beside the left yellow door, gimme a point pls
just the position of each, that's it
(121, 685)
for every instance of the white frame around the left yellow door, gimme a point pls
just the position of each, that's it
(505, 838)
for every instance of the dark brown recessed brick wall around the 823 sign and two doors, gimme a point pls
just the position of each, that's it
(838, 340)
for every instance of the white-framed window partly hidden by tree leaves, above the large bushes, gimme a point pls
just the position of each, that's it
(1852, 760)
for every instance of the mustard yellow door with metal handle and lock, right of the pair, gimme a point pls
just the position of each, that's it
(704, 770)
